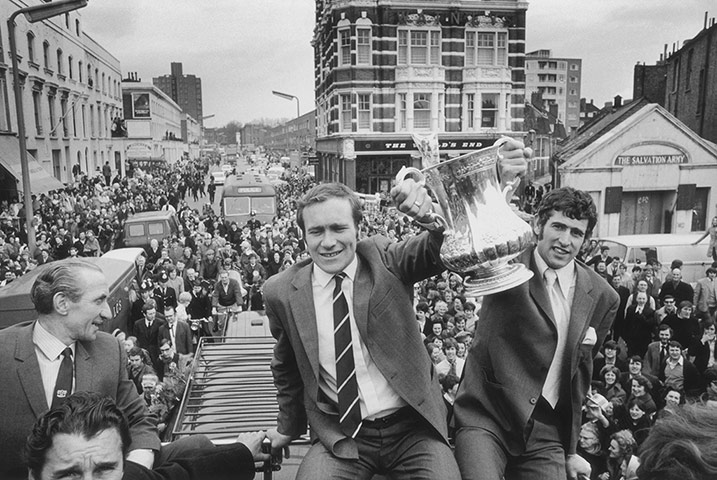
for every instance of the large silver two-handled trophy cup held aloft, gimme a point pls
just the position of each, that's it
(482, 232)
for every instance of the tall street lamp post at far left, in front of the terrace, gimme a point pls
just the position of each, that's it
(35, 13)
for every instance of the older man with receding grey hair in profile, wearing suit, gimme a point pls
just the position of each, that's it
(38, 360)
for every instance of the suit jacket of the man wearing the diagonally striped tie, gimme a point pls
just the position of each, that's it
(387, 323)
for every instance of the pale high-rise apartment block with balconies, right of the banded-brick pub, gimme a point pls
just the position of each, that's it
(558, 80)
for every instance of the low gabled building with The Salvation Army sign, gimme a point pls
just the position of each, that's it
(646, 171)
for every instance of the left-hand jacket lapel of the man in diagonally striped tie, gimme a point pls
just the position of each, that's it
(301, 303)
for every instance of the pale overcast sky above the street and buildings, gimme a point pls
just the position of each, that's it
(242, 49)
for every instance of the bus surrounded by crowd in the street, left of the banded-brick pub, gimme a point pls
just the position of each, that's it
(246, 193)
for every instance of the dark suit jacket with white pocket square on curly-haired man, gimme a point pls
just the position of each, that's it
(513, 348)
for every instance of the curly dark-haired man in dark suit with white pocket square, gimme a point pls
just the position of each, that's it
(518, 409)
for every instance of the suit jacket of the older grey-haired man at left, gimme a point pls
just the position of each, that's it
(100, 366)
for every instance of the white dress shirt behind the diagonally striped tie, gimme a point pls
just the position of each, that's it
(377, 398)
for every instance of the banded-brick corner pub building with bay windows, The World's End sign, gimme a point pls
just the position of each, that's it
(386, 69)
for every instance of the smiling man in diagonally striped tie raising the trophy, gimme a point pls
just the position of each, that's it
(349, 360)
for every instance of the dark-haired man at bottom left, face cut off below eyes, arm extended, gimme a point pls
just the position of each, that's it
(90, 433)
